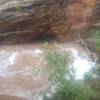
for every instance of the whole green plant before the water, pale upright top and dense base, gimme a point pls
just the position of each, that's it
(67, 89)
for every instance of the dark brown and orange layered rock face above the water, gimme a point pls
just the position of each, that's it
(27, 20)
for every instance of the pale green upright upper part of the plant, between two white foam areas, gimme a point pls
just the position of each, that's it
(56, 65)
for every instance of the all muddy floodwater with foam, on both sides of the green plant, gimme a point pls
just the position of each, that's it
(21, 72)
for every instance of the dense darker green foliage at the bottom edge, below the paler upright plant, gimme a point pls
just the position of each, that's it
(71, 90)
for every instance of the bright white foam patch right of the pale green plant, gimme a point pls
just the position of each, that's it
(80, 64)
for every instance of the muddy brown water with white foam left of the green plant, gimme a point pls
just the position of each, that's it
(20, 71)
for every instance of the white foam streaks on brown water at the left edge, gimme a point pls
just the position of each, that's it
(9, 58)
